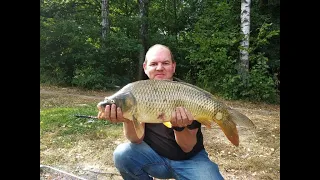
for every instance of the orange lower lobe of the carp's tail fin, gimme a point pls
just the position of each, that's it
(230, 130)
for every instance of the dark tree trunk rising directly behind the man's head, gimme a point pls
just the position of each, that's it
(143, 7)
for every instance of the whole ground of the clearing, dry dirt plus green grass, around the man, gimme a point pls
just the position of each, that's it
(73, 142)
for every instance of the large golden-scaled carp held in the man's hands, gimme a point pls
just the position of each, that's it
(153, 101)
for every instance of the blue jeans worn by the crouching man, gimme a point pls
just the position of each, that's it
(140, 161)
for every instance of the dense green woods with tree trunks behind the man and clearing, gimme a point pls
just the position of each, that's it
(228, 47)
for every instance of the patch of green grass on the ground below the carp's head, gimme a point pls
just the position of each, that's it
(62, 127)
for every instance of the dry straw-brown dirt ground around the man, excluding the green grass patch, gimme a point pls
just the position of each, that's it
(257, 156)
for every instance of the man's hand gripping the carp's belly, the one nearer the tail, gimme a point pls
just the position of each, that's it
(181, 117)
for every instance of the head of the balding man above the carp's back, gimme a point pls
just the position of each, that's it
(159, 64)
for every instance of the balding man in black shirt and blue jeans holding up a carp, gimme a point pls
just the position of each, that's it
(162, 152)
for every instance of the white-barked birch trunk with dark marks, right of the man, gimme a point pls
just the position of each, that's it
(245, 30)
